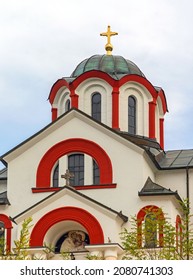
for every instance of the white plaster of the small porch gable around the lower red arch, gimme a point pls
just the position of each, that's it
(111, 225)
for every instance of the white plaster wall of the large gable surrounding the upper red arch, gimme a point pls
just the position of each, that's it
(129, 176)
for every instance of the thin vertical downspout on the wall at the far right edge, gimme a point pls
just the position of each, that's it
(187, 211)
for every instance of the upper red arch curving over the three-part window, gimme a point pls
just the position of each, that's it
(68, 146)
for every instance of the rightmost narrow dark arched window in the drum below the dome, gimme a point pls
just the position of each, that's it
(132, 115)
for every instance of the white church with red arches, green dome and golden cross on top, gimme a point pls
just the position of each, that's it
(100, 161)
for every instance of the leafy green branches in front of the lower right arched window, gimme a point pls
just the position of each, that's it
(155, 239)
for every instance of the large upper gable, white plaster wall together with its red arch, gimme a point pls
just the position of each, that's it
(31, 164)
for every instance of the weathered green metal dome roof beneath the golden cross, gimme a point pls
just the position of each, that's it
(115, 65)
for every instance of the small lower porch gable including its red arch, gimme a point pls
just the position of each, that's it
(70, 209)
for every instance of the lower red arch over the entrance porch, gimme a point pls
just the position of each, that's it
(88, 221)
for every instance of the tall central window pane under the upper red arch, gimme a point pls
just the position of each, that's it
(76, 167)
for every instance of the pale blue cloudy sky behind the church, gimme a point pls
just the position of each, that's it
(42, 41)
